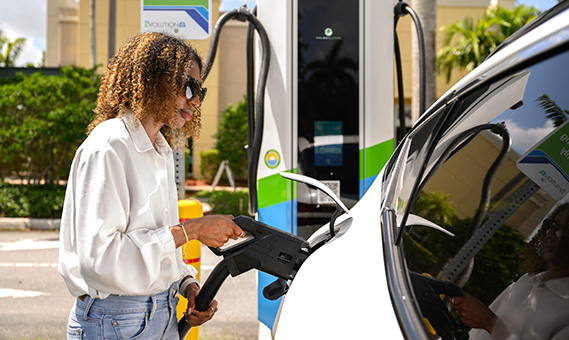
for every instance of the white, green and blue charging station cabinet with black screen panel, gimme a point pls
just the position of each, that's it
(328, 112)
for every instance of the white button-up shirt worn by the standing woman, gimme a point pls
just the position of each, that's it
(120, 201)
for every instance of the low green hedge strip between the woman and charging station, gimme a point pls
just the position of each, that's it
(227, 202)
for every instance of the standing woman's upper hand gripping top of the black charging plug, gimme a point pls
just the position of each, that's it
(213, 230)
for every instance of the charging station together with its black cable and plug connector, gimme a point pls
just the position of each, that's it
(323, 109)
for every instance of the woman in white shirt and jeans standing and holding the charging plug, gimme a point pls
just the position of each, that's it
(120, 236)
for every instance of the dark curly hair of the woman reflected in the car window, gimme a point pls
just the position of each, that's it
(532, 253)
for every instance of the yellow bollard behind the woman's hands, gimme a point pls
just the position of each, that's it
(191, 252)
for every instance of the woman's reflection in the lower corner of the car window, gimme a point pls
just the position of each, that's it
(537, 305)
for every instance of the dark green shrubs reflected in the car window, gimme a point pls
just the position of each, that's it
(428, 249)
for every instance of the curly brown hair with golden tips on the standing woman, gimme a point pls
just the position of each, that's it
(145, 76)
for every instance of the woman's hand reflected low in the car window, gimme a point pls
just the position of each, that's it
(473, 312)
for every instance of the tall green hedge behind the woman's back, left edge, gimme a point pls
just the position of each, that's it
(43, 122)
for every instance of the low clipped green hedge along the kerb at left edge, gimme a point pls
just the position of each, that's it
(38, 201)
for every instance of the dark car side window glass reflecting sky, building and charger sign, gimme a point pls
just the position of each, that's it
(531, 182)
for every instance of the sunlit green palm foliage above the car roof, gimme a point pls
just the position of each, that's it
(467, 43)
